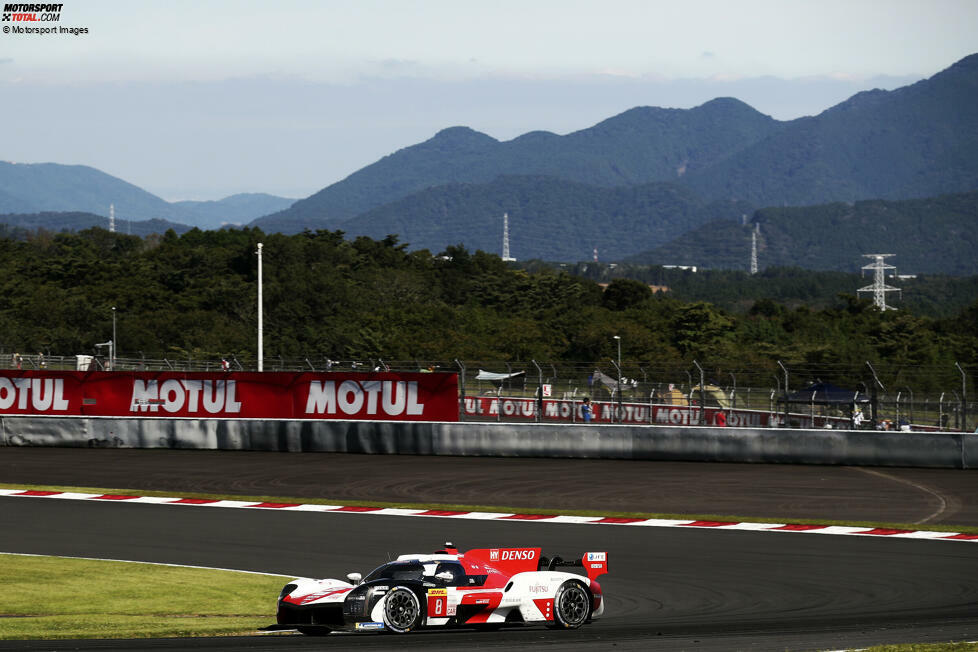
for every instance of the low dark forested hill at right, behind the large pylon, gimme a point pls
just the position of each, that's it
(937, 235)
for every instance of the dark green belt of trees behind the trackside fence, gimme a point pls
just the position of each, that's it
(195, 295)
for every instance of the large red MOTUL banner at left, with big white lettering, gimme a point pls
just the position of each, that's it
(273, 395)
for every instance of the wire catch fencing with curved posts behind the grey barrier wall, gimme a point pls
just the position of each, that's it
(775, 395)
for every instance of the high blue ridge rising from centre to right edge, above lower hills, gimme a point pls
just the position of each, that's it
(916, 141)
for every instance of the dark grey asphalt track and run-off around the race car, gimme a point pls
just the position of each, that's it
(668, 589)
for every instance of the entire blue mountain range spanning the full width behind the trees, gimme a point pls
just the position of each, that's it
(653, 184)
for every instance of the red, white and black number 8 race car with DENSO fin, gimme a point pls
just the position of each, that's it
(485, 587)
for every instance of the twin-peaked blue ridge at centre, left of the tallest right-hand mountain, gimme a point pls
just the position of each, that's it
(642, 145)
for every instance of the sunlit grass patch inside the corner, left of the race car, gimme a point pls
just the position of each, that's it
(57, 597)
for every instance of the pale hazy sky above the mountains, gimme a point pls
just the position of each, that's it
(200, 99)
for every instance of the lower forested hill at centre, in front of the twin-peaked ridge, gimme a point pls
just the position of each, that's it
(548, 218)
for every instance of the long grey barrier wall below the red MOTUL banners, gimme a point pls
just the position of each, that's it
(864, 448)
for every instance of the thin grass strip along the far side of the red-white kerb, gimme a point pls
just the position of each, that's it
(498, 508)
